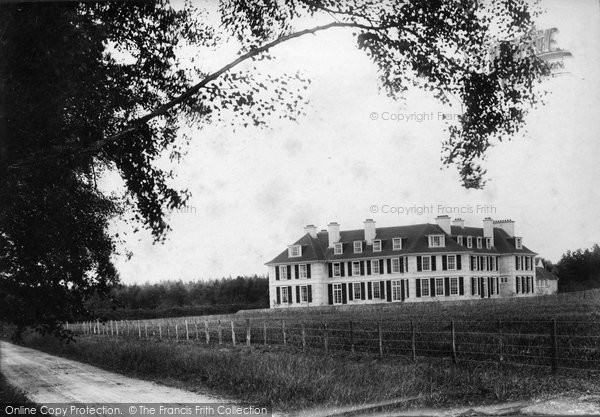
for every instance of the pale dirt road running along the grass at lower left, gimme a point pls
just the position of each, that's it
(51, 379)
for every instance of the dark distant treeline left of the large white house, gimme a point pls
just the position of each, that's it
(178, 298)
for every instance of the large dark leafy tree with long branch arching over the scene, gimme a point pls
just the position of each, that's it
(72, 110)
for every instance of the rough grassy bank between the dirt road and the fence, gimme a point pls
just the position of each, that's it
(292, 380)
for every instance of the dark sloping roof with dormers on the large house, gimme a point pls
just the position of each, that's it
(414, 240)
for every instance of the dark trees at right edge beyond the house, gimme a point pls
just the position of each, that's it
(579, 270)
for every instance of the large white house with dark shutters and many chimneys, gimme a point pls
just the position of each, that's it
(415, 263)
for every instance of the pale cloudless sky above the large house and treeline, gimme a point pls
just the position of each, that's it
(254, 190)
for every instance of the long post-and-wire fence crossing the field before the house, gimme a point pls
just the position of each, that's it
(541, 343)
